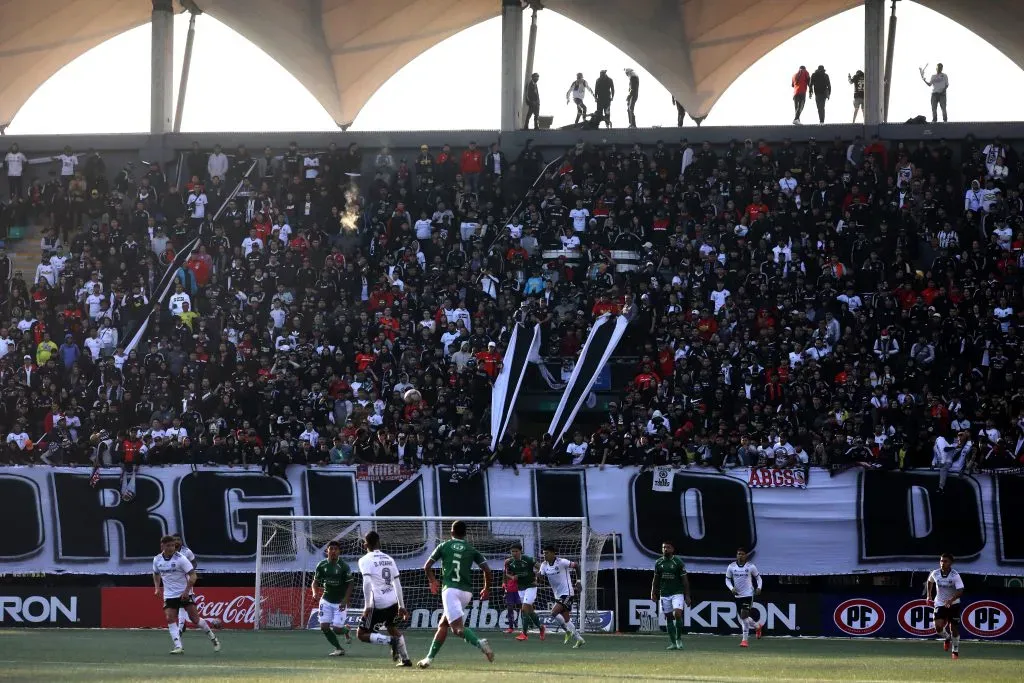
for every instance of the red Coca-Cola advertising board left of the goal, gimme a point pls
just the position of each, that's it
(141, 609)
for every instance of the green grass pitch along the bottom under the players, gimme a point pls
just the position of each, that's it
(143, 656)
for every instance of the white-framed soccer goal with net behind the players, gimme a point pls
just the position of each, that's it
(289, 549)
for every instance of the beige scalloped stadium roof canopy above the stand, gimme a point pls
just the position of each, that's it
(345, 51)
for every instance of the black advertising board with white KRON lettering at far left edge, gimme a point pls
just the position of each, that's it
(26, 608)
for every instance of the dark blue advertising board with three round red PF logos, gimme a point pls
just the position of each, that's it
(909, 616)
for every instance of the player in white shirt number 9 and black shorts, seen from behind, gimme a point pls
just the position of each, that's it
(382, 600)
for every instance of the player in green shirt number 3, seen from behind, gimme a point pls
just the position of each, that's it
(457, 559)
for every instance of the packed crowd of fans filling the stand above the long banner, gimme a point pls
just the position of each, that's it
(825, 304)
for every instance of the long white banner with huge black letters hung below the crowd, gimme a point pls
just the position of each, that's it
(857, 522)
